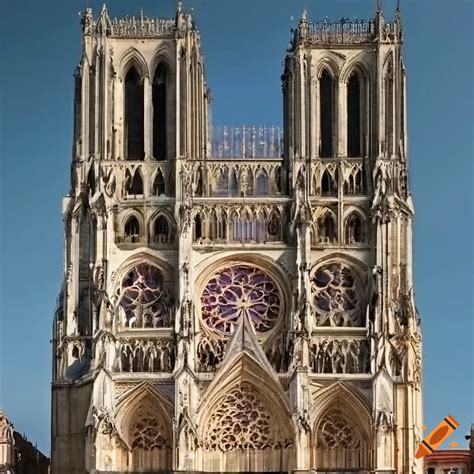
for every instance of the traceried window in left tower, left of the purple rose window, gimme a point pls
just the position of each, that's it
(144, 301)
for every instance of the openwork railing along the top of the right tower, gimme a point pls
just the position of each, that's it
(342, 31)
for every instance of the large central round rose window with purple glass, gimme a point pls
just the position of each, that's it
(235, 291)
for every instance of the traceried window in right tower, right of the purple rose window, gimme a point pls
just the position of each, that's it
(336, 296)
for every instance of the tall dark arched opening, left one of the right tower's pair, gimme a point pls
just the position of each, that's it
(326, 106)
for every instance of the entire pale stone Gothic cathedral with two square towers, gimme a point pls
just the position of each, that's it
(237, 299)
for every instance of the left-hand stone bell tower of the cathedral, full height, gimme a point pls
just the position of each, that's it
(140, 108)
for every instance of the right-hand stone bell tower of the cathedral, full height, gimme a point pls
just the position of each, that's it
(344, 89)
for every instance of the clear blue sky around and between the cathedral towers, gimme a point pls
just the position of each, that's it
(244, 43)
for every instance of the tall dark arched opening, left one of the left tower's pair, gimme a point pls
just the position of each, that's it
(134, 116)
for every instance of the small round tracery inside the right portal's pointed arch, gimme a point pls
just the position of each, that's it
(335, 432)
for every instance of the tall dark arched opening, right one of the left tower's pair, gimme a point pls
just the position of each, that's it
(160, 116)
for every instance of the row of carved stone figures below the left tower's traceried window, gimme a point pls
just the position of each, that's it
(146, 355)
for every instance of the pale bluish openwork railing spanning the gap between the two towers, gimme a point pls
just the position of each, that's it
(247, 142)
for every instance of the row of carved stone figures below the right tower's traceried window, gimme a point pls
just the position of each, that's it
(340, 357)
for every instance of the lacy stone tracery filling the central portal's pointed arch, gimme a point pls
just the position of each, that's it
(241, 420)
